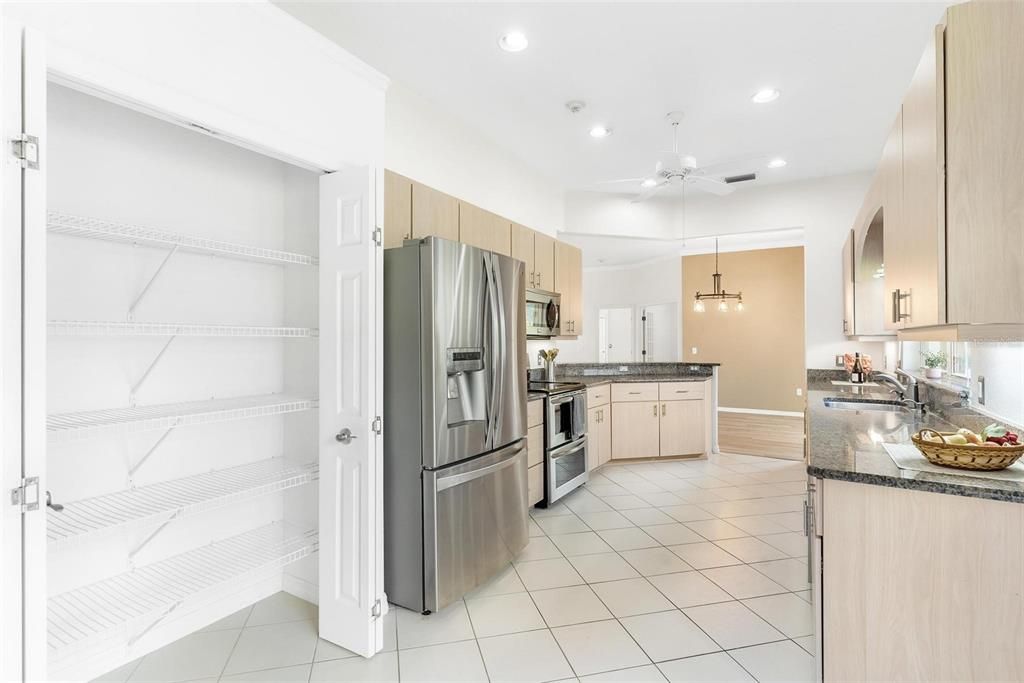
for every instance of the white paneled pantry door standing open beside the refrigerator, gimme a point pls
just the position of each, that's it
(352, 572)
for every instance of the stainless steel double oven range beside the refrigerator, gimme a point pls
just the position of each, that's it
(566, 438)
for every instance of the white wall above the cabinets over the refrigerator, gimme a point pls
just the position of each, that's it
(426, 144)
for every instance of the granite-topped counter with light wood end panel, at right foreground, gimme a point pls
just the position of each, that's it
(917, 575)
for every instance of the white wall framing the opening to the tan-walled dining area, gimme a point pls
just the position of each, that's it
(824, 208)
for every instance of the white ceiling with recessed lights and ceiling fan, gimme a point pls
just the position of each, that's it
(842, 67)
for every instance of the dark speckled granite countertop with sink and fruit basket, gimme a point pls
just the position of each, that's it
(847, 446)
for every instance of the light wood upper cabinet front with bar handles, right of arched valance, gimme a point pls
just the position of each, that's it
(918, 269)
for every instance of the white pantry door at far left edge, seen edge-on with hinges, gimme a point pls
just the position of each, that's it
(23, 357)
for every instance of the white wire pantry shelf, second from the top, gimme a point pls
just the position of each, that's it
(115, 329)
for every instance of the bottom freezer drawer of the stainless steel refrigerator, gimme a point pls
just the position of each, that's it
(478, 524)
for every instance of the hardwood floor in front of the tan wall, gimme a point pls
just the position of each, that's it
(754, 435)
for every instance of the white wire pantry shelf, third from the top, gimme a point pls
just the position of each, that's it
(73, 426)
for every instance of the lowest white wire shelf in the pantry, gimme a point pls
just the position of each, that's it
(130, 605)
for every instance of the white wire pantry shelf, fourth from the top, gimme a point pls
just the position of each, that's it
(160, 503)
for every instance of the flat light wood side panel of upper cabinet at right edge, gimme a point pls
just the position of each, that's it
(985, 79)
